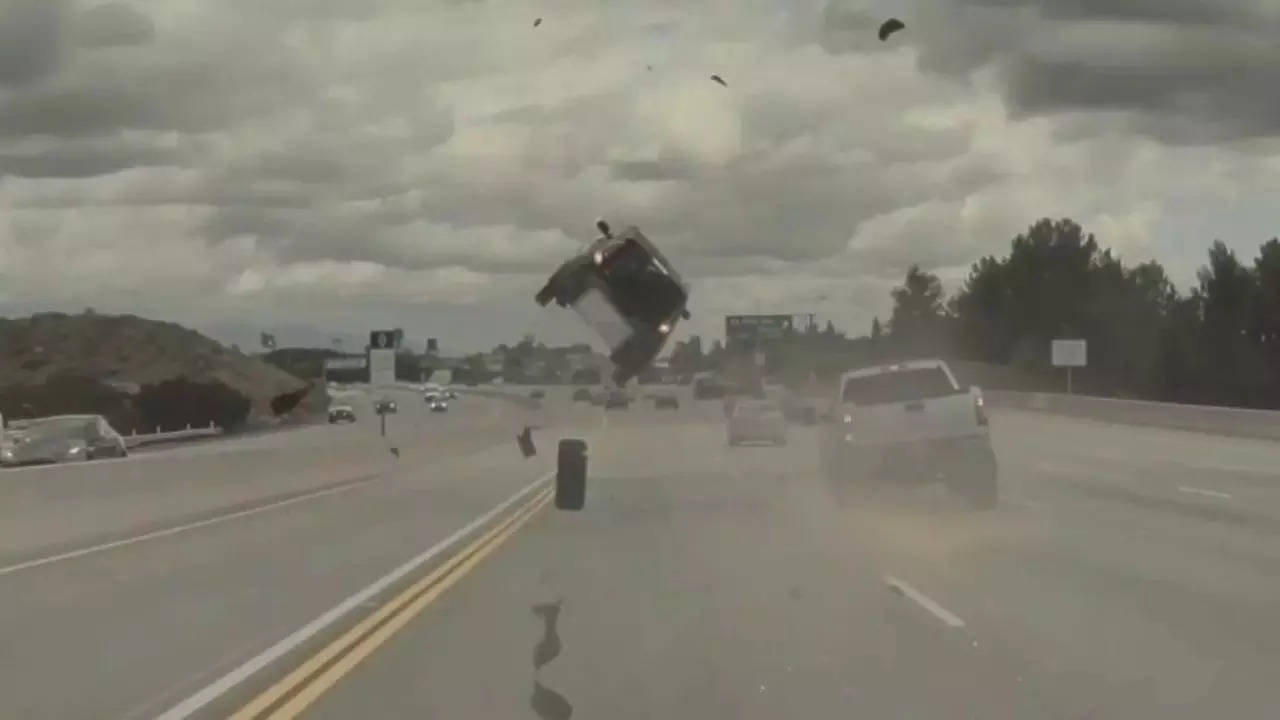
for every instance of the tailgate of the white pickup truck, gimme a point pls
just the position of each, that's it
(915, 421)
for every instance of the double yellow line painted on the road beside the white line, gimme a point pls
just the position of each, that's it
(304, 686)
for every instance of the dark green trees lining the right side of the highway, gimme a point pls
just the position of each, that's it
(1217, 344)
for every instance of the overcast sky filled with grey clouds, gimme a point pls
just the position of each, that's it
(323, 167)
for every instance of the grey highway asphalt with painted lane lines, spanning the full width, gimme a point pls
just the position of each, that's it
(1127, 573)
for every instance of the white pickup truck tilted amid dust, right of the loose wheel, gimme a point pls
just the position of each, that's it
(909, 423)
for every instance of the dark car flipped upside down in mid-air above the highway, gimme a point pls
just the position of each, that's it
(624, 288)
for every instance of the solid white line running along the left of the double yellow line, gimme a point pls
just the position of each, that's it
(262, 660)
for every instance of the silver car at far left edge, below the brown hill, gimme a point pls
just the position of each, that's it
(62, 439)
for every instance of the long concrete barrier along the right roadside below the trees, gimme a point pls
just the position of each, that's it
(1236, 422)
